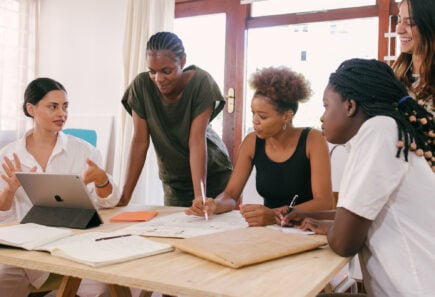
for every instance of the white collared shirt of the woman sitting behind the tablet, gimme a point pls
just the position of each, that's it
(69, 156)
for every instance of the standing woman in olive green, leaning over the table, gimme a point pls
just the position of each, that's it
(174, 105)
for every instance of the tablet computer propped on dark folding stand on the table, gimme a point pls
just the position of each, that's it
(61, 200)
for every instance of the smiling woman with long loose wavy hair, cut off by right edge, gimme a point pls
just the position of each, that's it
(415, 66)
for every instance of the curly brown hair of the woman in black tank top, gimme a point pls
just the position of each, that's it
(282, 86)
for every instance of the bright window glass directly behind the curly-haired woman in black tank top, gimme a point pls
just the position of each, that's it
(313, 49)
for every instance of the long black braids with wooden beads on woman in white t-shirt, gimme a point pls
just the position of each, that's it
(373, 85)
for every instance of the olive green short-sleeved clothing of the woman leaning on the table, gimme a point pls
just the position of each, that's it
(169, 126)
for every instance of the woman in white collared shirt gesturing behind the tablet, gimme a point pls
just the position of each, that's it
(46, 149)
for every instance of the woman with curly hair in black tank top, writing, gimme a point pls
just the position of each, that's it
(290, 161)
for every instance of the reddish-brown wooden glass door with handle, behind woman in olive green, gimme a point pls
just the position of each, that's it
(213, 35)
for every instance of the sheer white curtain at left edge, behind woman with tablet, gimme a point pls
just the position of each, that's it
(18, 29)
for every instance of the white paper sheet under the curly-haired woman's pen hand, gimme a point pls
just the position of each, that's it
(180, 225)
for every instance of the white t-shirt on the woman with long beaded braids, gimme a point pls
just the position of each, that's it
(398, 257)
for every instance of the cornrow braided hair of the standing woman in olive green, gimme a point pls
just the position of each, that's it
(166, 41)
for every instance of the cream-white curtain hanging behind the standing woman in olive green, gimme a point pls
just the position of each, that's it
(144, 18)
